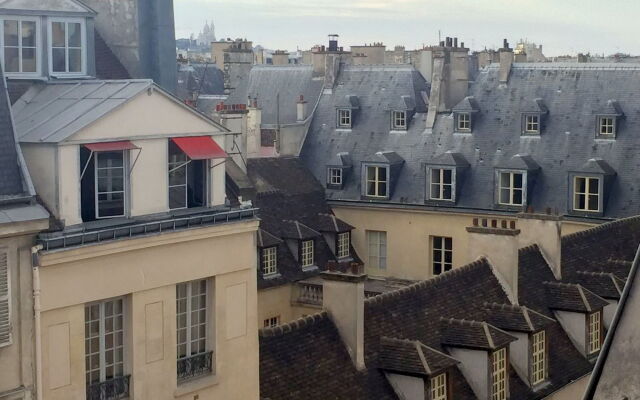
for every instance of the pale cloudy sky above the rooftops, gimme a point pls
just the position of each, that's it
(561, 26)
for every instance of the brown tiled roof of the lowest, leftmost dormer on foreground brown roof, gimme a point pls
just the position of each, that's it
(412, 357)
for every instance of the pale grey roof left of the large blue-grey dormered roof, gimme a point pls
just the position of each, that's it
(265, 82)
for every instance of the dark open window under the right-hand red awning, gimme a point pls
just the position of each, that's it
(187, 180)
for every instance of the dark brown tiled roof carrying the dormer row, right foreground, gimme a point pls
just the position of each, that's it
(296, 359)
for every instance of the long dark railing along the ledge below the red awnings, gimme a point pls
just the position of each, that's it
(60, 240)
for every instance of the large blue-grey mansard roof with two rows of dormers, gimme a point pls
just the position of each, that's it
(573, 95)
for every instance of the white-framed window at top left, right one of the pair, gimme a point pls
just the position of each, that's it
(67, 44)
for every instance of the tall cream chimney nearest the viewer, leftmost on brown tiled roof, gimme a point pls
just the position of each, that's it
(343, 299)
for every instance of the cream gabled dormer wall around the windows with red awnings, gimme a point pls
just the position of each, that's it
(149, 121)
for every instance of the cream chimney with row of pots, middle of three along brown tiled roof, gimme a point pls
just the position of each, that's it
(497, 239)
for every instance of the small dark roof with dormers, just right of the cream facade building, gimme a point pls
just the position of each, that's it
(292, 206)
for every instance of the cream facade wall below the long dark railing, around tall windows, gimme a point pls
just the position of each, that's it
(145, 271)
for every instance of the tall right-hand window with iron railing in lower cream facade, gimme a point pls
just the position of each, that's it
(191, 329)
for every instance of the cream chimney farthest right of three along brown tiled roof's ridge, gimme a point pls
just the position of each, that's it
(545, 231)
